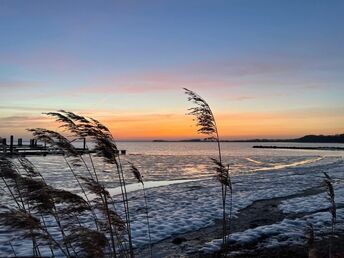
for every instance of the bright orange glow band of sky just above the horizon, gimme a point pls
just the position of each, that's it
(176, 126)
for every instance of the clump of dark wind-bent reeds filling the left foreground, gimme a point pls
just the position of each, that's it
(36, 202)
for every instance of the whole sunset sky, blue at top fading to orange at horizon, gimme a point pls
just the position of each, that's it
(267, 68)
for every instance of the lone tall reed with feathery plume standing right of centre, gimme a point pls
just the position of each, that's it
(206, 123)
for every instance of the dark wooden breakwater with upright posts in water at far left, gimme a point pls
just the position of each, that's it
(34, 148)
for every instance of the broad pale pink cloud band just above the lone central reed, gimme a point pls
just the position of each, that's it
(209, 75)
